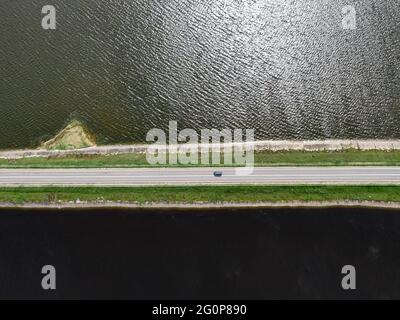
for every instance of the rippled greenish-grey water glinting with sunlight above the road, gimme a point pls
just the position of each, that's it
(285, 68)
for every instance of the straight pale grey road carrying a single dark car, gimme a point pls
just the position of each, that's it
(199, 176)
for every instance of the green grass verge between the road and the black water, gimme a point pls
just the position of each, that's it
(212, 194)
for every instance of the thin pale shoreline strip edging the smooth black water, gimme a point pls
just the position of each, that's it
(204, 206)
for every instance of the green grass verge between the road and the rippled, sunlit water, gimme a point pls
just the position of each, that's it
(262, 158)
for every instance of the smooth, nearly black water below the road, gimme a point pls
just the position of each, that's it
(200, 254)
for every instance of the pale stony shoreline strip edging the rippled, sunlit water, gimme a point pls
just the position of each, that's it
(261, 145)
